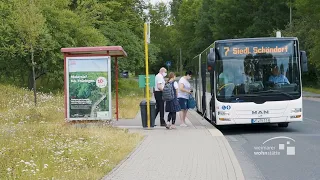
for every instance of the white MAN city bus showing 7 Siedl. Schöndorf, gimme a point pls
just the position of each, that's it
(250, 81)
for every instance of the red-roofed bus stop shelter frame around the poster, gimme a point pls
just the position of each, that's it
(90, 52)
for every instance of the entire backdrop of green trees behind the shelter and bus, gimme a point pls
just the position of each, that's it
(189, 25)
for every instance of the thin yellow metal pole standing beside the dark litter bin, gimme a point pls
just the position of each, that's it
(147, 72)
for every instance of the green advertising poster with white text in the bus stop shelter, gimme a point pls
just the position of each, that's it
(89, 88)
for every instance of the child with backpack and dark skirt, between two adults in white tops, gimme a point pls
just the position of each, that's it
(172, 106)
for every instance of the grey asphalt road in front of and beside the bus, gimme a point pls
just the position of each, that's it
(252, 154)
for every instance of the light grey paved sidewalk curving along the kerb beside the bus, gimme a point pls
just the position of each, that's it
(198, 151)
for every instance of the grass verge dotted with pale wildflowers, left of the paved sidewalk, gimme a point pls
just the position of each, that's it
(36, 144)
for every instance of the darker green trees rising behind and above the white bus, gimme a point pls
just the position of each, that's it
(197, 24)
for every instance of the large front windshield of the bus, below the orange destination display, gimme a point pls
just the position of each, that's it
(260, 77)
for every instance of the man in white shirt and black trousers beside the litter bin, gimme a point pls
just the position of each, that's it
(159, 80)
